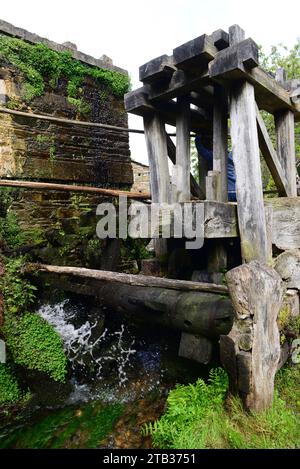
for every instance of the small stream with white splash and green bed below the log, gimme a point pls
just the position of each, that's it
(119, 379)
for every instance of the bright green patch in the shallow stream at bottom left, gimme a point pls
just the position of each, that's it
(67, 428)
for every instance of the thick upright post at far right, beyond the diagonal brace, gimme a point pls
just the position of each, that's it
(285, 134)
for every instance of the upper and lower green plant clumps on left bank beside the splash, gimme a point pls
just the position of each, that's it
(31, 341)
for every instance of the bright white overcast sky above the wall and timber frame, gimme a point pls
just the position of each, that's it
(132, 32)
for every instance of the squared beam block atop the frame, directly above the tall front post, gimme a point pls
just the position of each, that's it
(241, 56)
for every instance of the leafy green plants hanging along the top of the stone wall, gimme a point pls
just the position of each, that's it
(41, 67)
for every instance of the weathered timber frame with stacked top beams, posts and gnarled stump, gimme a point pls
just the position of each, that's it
(203, 84)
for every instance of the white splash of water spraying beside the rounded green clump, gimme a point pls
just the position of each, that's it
(81, 345)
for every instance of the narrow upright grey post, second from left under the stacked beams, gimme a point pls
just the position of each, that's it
(183, 165)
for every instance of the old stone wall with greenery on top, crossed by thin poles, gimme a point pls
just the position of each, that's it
(40, 76)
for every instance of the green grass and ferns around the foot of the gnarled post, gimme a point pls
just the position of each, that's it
(199, 416)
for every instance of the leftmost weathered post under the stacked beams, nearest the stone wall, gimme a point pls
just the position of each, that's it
(156, 142)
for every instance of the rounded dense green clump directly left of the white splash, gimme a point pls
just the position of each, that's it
(35, 345)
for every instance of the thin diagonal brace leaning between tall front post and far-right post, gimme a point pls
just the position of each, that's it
(271, 157)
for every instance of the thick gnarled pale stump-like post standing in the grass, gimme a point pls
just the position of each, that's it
(256, 292)
